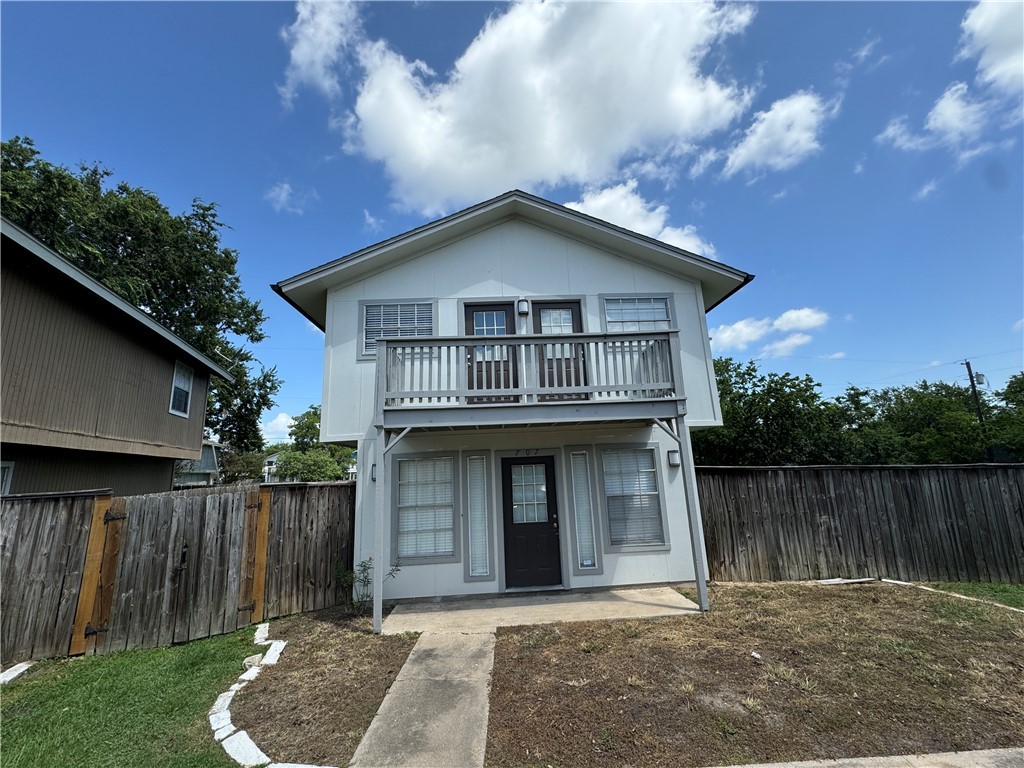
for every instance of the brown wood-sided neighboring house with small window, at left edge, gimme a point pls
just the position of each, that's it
(95, 394)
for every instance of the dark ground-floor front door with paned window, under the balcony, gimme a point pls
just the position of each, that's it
(532, 552)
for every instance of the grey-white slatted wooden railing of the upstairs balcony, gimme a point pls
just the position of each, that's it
(529, 370)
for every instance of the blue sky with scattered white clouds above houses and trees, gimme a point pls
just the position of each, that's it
(864, 160)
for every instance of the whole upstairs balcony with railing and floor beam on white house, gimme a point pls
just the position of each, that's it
(524, 380)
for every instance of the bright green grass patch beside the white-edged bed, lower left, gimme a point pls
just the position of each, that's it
(140, 708)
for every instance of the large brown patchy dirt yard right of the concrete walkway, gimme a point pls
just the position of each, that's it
(852, 671)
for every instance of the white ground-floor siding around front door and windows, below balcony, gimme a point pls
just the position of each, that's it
(671, 565)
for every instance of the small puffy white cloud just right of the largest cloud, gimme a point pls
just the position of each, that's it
(782, 137)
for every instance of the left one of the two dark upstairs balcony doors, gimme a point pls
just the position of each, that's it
(492, 367)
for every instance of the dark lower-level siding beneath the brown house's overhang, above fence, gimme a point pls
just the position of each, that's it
(39, 470)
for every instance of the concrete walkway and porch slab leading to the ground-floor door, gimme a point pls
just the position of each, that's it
(436, 714)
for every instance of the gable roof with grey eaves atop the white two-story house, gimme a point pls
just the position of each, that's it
(308, 291)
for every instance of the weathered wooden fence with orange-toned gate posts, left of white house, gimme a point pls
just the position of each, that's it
(92, 574)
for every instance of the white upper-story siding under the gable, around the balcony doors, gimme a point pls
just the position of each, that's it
(508, 262)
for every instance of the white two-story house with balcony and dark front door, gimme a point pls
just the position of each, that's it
(493, 457)
